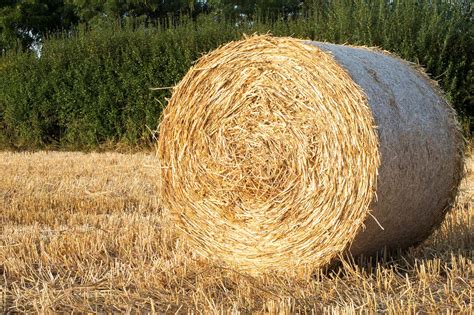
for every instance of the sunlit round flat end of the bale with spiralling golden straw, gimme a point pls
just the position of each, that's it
(268, 156)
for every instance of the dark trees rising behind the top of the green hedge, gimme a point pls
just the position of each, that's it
(23, 23)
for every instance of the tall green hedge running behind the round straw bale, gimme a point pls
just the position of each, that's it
(92, 87)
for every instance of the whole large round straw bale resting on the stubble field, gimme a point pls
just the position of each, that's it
(271, 150)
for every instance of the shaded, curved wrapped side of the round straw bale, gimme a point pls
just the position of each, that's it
(420, 144)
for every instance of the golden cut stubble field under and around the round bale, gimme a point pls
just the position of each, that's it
(84, 232)
